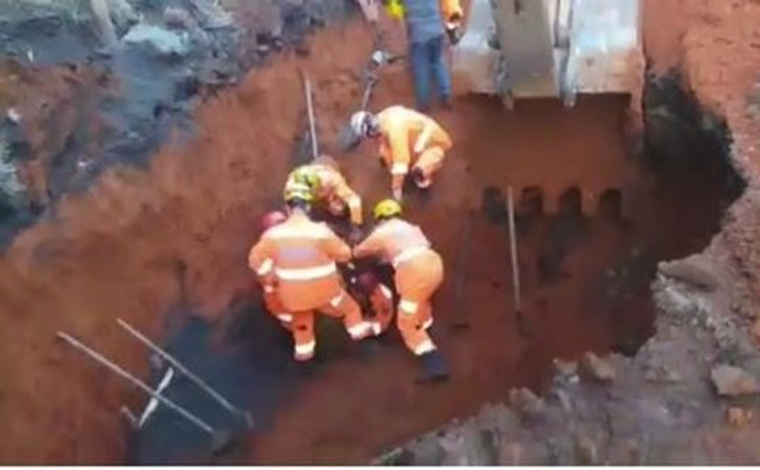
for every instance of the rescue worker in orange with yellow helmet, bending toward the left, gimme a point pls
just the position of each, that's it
(418, 274)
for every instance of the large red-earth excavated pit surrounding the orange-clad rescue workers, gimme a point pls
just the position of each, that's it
(593, 221)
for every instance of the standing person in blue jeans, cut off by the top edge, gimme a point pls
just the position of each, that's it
(425, 32)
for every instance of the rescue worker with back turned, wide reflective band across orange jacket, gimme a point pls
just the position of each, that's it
(300, 256)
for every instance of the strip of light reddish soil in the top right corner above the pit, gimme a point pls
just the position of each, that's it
(716, 44)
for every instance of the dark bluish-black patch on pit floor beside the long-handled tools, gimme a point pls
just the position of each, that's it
(251, 369)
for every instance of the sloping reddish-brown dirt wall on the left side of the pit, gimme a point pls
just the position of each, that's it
(114, 253)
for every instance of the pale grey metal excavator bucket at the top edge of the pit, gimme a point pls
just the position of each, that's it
(549, 48)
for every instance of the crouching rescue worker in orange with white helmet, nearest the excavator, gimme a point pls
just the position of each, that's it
(410, 142)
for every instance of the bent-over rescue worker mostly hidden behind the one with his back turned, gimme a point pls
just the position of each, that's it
(328, 187)
